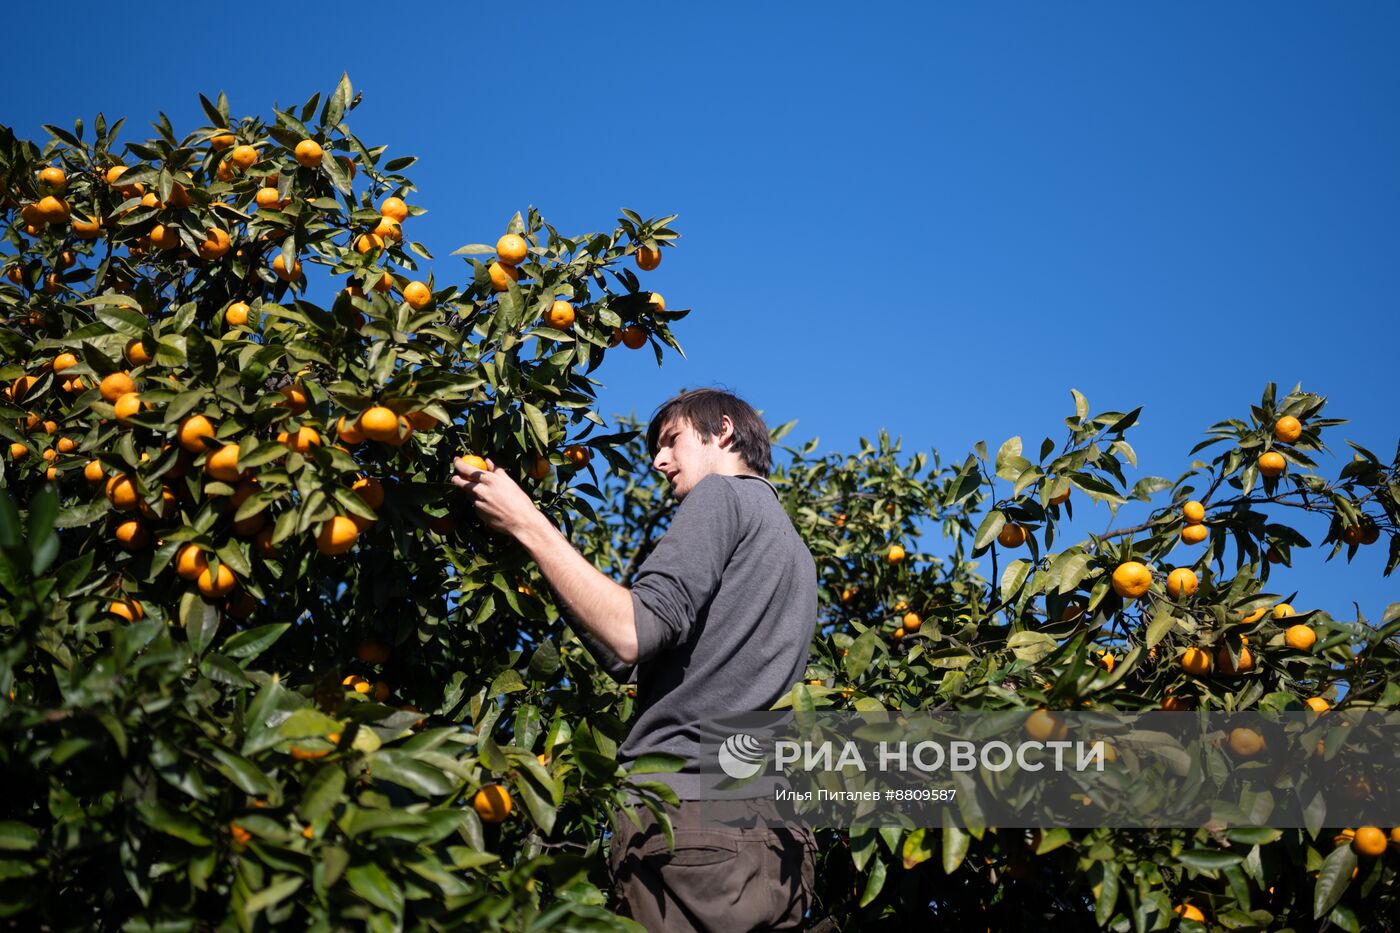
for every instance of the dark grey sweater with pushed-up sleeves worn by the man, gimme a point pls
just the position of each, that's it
(726, 610)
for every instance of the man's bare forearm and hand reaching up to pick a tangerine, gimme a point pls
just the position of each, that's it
(594, 602)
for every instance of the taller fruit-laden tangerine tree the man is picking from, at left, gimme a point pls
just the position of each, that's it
(262, 663)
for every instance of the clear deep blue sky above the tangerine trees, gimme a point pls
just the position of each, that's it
(926, 218)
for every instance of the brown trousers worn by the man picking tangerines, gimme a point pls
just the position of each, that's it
(720, 878)
